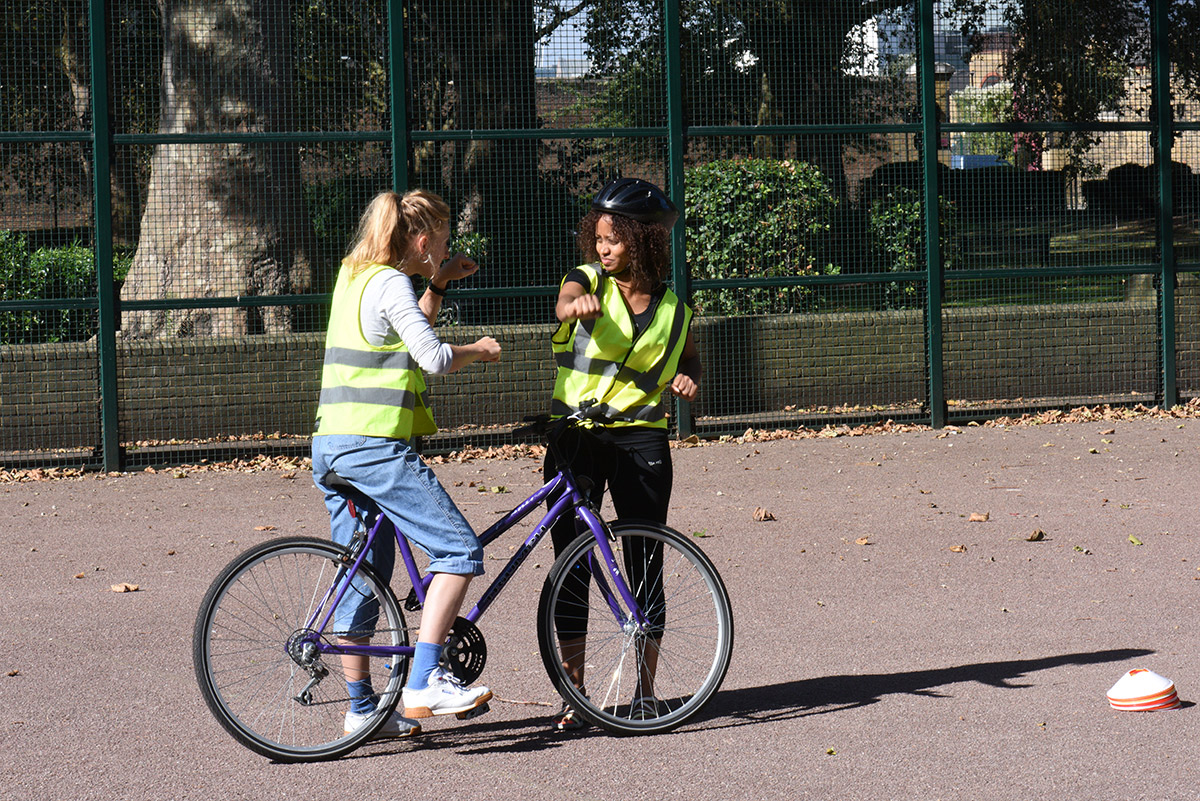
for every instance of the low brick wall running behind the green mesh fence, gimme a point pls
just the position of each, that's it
(211, 388)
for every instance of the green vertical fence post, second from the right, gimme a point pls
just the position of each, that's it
(934, 273)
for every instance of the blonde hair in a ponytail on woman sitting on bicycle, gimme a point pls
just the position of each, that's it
(392, 222)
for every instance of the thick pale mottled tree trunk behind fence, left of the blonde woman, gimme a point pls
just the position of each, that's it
(223, 220)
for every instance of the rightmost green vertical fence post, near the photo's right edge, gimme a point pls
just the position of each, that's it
(1165, 141)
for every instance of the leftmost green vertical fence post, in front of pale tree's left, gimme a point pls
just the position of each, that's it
(103, 244)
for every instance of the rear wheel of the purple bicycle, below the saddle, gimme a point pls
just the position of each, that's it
(262, 671)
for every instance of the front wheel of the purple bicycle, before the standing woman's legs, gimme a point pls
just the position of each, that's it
(680, 659)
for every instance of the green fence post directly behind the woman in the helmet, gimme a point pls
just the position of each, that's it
(676, 149)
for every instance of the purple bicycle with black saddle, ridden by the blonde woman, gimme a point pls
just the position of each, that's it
(645, 603)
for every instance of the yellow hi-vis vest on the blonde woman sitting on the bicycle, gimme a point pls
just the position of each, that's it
(368, 390)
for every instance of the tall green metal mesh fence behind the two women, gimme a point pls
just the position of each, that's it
(925, 210)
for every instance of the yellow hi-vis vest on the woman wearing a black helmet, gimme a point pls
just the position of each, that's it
(602, 360)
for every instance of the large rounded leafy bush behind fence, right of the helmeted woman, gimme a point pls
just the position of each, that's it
(758, 219)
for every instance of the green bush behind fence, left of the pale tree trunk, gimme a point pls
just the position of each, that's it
(67, 273)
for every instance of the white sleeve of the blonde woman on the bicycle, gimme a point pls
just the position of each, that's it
(389, 315)
